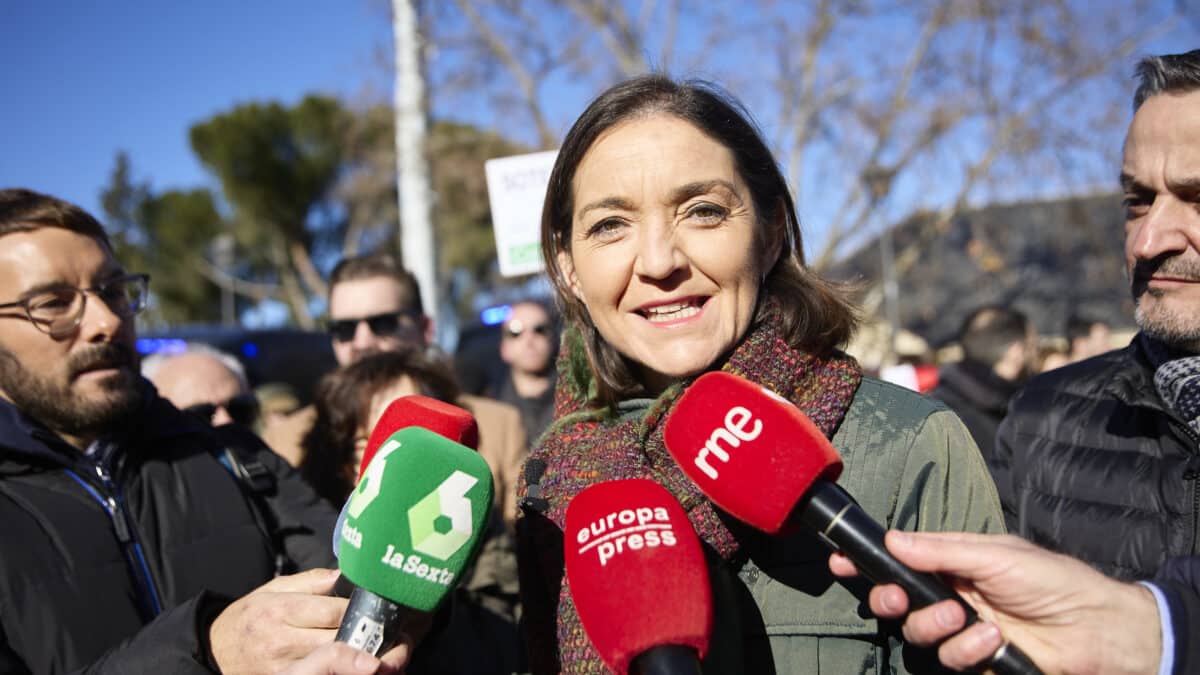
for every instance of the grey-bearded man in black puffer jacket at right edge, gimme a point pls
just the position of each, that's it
(1101, 459)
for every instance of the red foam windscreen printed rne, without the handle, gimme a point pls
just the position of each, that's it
(727, 433)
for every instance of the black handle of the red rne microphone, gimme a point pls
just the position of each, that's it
(844, 525)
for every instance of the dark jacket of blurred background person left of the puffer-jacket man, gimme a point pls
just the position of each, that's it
(979, 396)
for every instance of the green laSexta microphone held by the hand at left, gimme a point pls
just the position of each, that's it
(413, 524)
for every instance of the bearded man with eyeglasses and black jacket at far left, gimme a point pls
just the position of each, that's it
(124, 540)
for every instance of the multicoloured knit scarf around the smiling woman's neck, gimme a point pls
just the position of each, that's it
(589, 447)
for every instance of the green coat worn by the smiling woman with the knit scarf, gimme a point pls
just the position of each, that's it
(913, 465)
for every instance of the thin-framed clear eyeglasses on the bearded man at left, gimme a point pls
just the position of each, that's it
(58, 312)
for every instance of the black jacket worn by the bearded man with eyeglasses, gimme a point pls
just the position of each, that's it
(85, 590)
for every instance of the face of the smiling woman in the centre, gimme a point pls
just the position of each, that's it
(665, 253)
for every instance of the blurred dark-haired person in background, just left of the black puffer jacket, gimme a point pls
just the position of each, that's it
(999, 356)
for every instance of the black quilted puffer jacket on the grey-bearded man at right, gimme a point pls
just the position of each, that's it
(1091, 463)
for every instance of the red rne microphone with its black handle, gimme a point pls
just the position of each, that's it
(763, 461)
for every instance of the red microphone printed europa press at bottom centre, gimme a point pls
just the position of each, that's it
(639, 578)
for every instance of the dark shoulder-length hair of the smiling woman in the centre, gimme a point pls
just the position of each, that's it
(817, 314)
